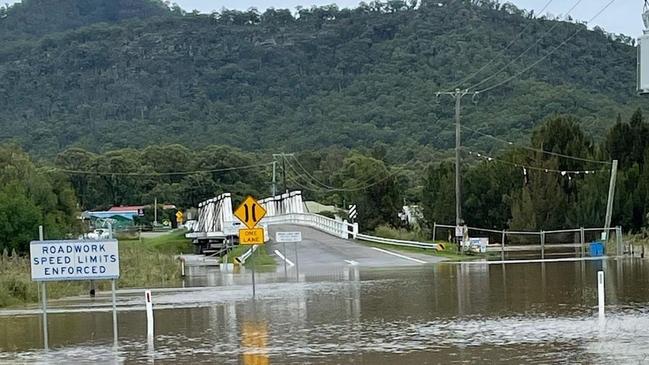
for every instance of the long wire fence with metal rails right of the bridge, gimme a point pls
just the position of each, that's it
(577, 242)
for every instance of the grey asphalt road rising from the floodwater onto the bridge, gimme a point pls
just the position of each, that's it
(321, 251)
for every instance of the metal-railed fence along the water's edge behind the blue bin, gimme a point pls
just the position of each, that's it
(543, 244)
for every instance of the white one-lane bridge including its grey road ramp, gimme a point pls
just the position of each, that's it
(326, 241)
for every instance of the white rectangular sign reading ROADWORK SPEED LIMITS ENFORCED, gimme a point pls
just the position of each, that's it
(74, 260)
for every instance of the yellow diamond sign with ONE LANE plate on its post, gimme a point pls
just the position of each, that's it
(250, 212)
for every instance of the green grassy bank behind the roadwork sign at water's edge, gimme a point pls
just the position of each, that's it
(149, 263)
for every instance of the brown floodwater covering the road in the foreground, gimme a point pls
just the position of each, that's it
(434, 314)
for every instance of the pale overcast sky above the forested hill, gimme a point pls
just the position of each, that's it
(621, 17)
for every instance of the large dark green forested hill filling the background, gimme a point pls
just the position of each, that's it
(273, 81)
